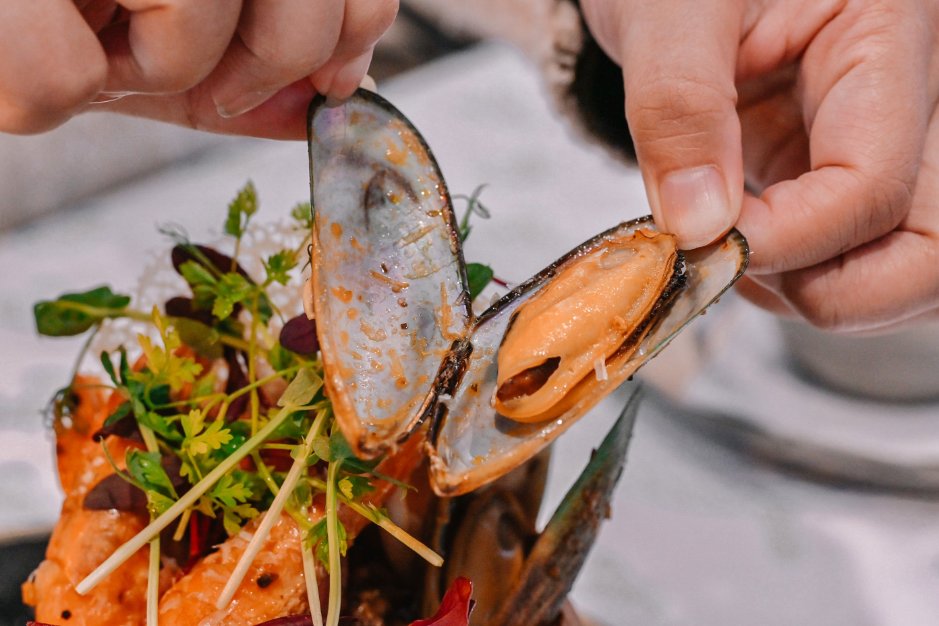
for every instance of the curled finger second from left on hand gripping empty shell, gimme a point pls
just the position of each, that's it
(168, 46)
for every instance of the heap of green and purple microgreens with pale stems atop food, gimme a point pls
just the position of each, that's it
(216, 450)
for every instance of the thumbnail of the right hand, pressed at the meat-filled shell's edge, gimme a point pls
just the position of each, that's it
(695, 205)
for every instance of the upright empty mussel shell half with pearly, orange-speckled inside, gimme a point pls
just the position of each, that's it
(388, 275)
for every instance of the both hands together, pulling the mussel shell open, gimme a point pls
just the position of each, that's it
(823, 108)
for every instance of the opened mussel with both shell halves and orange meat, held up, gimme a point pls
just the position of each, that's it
(399, 341)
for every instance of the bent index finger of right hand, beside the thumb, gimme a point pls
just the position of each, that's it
(866, 103)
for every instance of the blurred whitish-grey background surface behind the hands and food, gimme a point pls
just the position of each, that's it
(777, 475)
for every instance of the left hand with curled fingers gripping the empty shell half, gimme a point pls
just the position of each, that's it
(227, 66)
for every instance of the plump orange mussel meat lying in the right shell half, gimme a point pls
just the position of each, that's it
(586, 321)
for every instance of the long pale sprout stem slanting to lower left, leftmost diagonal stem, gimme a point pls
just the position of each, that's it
(187, 500)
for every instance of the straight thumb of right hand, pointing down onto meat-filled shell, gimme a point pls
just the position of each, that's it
(678, 59)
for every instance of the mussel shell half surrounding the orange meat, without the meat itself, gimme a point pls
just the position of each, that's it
(473, 444)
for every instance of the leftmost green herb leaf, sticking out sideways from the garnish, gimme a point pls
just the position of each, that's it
(74, 313)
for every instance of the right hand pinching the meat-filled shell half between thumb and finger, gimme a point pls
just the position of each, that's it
(826, 109)
